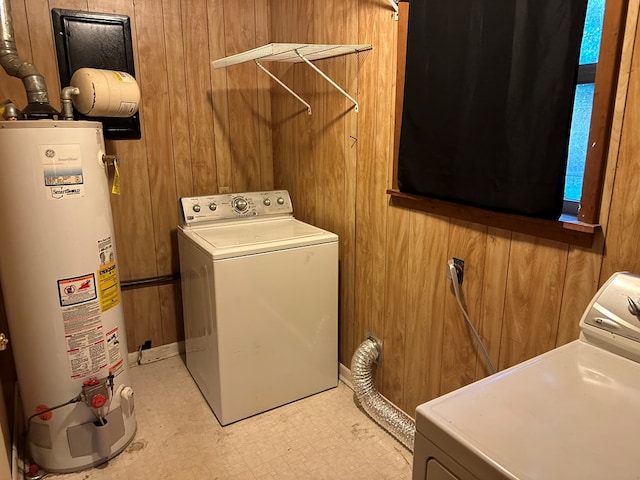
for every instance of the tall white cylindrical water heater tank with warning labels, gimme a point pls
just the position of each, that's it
(59, 277)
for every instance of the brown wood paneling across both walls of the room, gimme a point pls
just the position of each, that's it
(207, 129)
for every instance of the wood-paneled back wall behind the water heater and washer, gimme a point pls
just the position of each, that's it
(202, 130)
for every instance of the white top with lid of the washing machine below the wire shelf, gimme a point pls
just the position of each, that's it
(248, 237)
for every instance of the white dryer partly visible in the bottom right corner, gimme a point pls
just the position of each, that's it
(571, 413)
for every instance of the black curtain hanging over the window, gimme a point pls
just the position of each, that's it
(487, 102)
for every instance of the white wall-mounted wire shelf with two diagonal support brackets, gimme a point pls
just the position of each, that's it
(294, 53)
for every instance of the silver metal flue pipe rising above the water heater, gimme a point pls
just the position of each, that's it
(32, 79)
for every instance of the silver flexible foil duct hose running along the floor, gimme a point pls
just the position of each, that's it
(383, 412)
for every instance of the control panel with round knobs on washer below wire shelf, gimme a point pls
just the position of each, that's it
(234, 206)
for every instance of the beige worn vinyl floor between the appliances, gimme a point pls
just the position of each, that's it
(324, 437)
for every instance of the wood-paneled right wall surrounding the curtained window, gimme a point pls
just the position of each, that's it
(525, 294)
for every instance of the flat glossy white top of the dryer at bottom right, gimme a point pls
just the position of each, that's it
(569, 413)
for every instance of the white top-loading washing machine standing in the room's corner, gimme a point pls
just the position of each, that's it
(260, 300)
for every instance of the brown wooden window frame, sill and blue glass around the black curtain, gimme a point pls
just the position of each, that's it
(595, 101)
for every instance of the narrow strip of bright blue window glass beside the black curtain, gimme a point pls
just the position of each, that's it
(583, 101)
